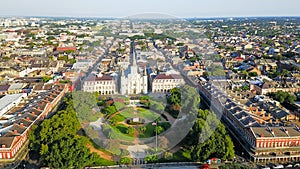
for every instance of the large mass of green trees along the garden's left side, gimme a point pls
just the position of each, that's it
(56, 142)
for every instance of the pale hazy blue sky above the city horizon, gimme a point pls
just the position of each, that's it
(123, 8)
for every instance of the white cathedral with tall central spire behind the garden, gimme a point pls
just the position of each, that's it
(132, 82)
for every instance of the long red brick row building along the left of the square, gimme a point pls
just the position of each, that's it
(14, 135)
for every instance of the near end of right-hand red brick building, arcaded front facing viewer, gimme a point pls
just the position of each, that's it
(276, 143)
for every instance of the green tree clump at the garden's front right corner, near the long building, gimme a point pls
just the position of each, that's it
(208, 138)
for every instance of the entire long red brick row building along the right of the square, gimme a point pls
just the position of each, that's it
(261, 143)
